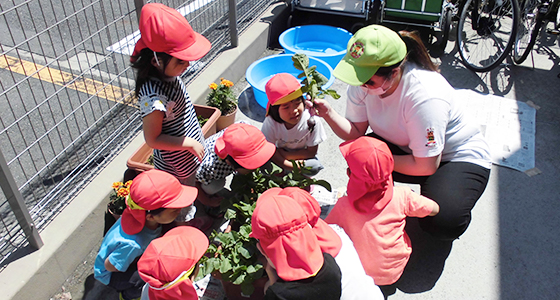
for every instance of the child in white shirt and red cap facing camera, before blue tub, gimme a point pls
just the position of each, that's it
(289, 125)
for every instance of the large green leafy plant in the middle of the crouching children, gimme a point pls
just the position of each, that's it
(234, 254)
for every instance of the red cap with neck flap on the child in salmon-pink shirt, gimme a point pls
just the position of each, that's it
(371, 164)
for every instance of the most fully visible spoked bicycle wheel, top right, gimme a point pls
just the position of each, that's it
(486, 32)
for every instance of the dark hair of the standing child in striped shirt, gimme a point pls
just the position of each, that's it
(144, 67)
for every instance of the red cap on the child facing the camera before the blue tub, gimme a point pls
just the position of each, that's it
(282, 88)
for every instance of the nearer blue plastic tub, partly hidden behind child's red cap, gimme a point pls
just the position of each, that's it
(263, 69)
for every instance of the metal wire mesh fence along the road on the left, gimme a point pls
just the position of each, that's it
(66, 100)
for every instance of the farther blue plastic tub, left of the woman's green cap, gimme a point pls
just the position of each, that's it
(320, 41)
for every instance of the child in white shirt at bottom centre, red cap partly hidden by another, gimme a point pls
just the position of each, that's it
(356, 284)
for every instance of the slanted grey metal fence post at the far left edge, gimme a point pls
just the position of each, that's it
(15, 199)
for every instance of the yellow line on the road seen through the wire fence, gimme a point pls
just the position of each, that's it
(84, 85)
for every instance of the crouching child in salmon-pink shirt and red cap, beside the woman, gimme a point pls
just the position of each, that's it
(373, 214)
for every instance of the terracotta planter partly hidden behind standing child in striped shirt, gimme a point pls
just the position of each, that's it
(137, 162)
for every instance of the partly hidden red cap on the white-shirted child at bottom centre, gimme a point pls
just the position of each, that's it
(328, 239)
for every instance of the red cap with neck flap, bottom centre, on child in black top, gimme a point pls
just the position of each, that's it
(286, 238)
